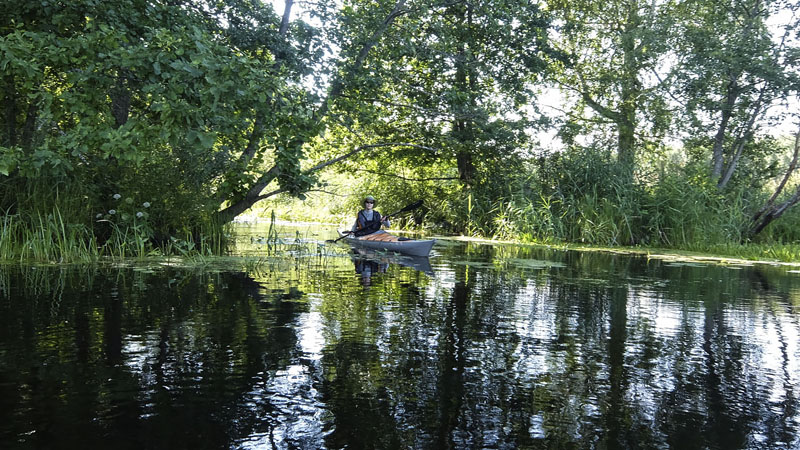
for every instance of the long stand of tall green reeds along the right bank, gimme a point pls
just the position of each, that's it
(583, 197)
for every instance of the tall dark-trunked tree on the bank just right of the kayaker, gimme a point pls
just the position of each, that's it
(457, 76)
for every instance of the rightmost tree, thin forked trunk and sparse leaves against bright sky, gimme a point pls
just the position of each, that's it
(734, 72)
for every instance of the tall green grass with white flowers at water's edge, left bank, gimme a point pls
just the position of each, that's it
(58, 225)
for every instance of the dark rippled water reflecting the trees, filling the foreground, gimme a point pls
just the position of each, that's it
(489, 347)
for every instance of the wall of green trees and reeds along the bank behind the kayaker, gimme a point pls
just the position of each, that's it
(137, 126)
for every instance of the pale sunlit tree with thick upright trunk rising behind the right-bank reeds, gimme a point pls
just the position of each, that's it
(611, 51)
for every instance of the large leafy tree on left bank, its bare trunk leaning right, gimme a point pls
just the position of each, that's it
(203, 103)
